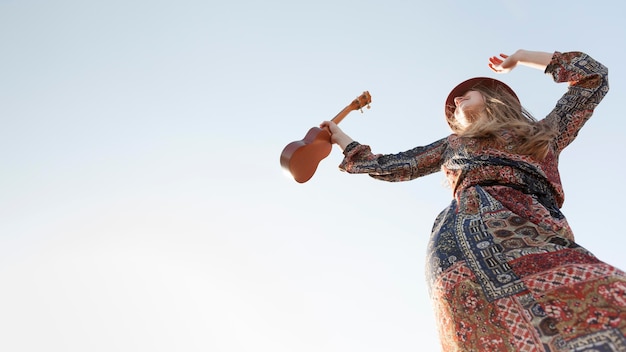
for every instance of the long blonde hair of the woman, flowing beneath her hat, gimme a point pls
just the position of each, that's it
(504, 113)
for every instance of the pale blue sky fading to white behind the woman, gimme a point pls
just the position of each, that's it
(142, 202)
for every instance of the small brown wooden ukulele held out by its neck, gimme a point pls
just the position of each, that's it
(301, 158)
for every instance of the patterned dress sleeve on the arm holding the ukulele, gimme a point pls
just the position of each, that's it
(402, 166)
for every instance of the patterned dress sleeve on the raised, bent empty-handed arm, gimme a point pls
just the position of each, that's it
(588, 84)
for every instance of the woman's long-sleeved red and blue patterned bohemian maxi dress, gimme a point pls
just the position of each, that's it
(504, 271)
